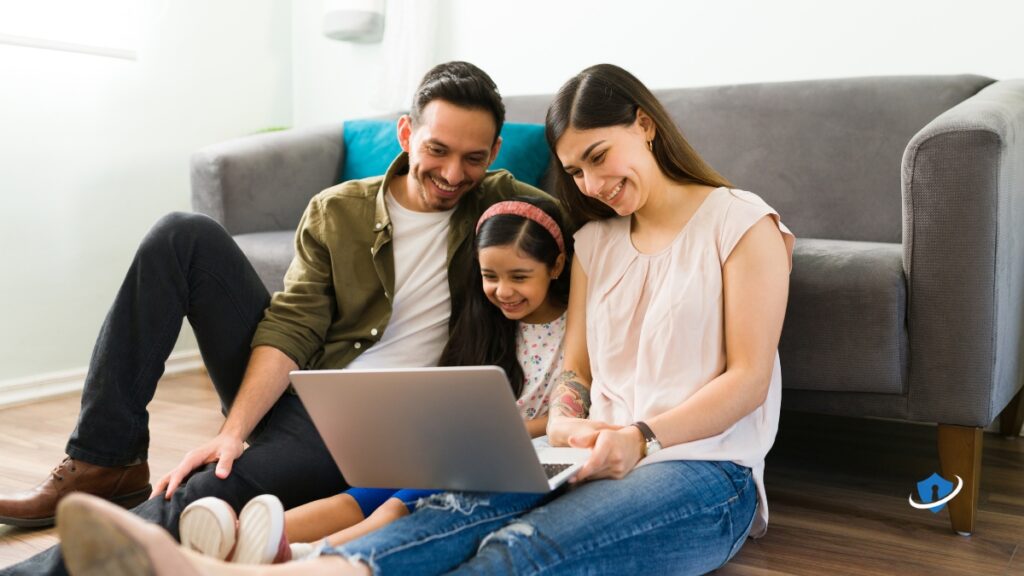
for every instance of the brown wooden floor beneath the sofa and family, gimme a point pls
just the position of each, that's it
(838, 489)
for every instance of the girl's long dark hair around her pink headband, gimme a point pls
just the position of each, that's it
(483, 337)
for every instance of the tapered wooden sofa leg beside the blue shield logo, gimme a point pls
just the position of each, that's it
(960, 455)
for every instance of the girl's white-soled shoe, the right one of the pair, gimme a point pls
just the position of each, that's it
(262, 532)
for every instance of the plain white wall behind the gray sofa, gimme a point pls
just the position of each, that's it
(94, 150)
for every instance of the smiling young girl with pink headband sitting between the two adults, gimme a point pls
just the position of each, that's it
(515, 318)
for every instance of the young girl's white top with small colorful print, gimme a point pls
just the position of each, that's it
(539, 349)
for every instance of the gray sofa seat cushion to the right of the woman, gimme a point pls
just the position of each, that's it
(846, 324)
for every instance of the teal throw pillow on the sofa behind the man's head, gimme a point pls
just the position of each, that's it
(372, 145)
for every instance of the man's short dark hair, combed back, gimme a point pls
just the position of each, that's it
(462, 85)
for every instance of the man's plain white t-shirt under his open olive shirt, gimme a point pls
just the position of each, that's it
(422, 305)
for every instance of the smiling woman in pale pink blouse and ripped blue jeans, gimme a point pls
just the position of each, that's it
(671, 375)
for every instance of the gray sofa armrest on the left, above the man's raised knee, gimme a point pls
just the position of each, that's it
(264, 183)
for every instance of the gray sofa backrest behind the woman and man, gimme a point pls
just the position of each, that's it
(826, 154)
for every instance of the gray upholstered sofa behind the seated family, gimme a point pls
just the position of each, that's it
(907, 195)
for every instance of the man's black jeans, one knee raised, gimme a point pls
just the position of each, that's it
(189, 267)
